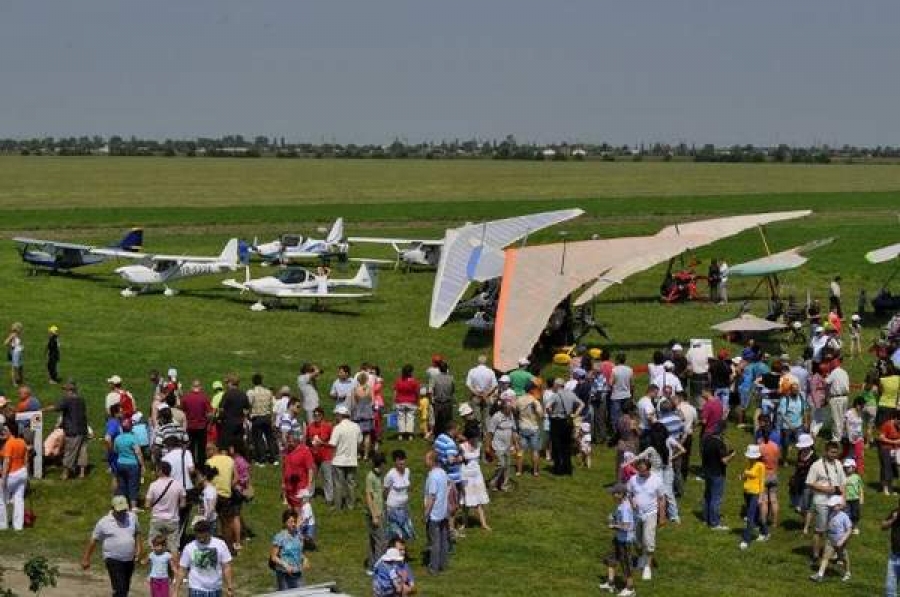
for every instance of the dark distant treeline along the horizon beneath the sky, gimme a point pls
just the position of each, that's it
(509, 148)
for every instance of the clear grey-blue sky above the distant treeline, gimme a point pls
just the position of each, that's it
(764, 72)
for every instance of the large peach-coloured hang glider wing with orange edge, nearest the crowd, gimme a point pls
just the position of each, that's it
(536, 279)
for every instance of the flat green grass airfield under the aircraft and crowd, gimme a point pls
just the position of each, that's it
(547, 533)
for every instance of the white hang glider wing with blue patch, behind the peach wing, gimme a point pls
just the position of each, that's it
(474, 252)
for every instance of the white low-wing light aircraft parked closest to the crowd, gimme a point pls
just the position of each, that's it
(303, 284)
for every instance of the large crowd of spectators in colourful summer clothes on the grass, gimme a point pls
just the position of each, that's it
(483, 433)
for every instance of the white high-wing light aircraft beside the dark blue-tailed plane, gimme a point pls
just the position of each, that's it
(162, 269)
